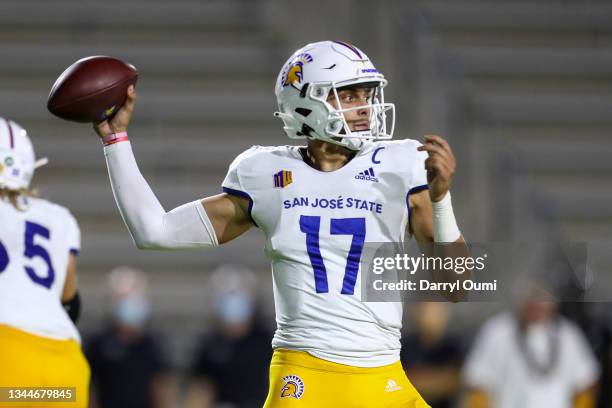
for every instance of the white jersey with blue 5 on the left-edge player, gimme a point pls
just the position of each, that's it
(35, 245)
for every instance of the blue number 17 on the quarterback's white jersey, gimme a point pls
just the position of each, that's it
(310, 225)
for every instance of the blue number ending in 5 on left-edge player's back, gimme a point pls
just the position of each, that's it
(32, 250)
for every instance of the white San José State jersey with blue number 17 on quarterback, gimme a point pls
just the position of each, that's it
(316, 224)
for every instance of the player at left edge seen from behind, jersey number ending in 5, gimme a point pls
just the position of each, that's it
(39, 302)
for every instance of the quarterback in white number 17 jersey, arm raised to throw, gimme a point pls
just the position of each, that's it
(317, 205)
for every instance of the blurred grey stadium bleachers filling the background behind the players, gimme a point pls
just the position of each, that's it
(521, 89)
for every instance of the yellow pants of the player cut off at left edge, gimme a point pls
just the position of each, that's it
(27, 360)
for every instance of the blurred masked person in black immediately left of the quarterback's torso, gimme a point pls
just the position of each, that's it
(230, 368)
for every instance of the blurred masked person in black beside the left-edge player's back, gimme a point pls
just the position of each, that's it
(128, 368)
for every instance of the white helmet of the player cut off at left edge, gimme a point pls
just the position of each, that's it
(17, 162)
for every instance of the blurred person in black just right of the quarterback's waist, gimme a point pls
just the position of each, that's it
(431, 357)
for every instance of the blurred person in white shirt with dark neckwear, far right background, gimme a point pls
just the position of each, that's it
(532, 358)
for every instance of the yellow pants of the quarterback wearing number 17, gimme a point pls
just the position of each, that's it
(298, 379)
